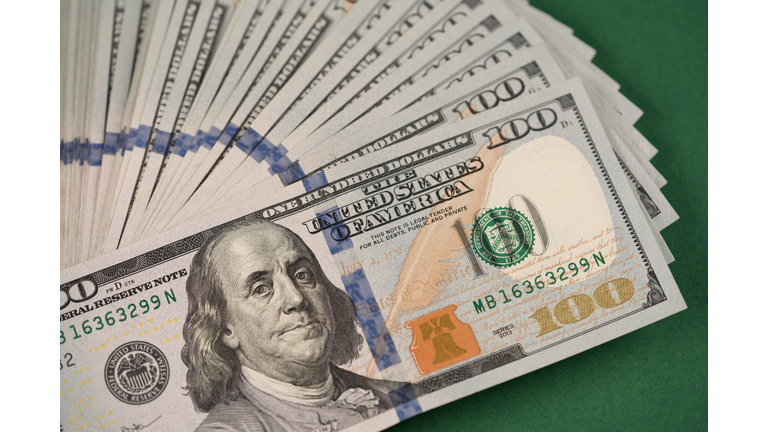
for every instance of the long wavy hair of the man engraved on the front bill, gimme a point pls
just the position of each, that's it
(214, 369)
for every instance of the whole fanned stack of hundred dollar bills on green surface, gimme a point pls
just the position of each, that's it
(318, 215)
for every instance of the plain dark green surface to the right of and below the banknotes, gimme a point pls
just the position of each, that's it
(654, 379)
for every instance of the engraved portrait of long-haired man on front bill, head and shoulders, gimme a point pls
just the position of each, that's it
(265, 334)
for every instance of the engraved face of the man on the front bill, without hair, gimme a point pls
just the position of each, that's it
(279, 313)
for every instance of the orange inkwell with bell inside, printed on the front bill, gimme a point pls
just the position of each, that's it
(440, 340)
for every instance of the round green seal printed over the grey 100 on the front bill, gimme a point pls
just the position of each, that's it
(502, 237)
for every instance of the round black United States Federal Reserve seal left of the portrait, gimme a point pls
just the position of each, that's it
(136, 372)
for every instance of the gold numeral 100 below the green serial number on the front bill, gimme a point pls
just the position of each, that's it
(585, 305)
